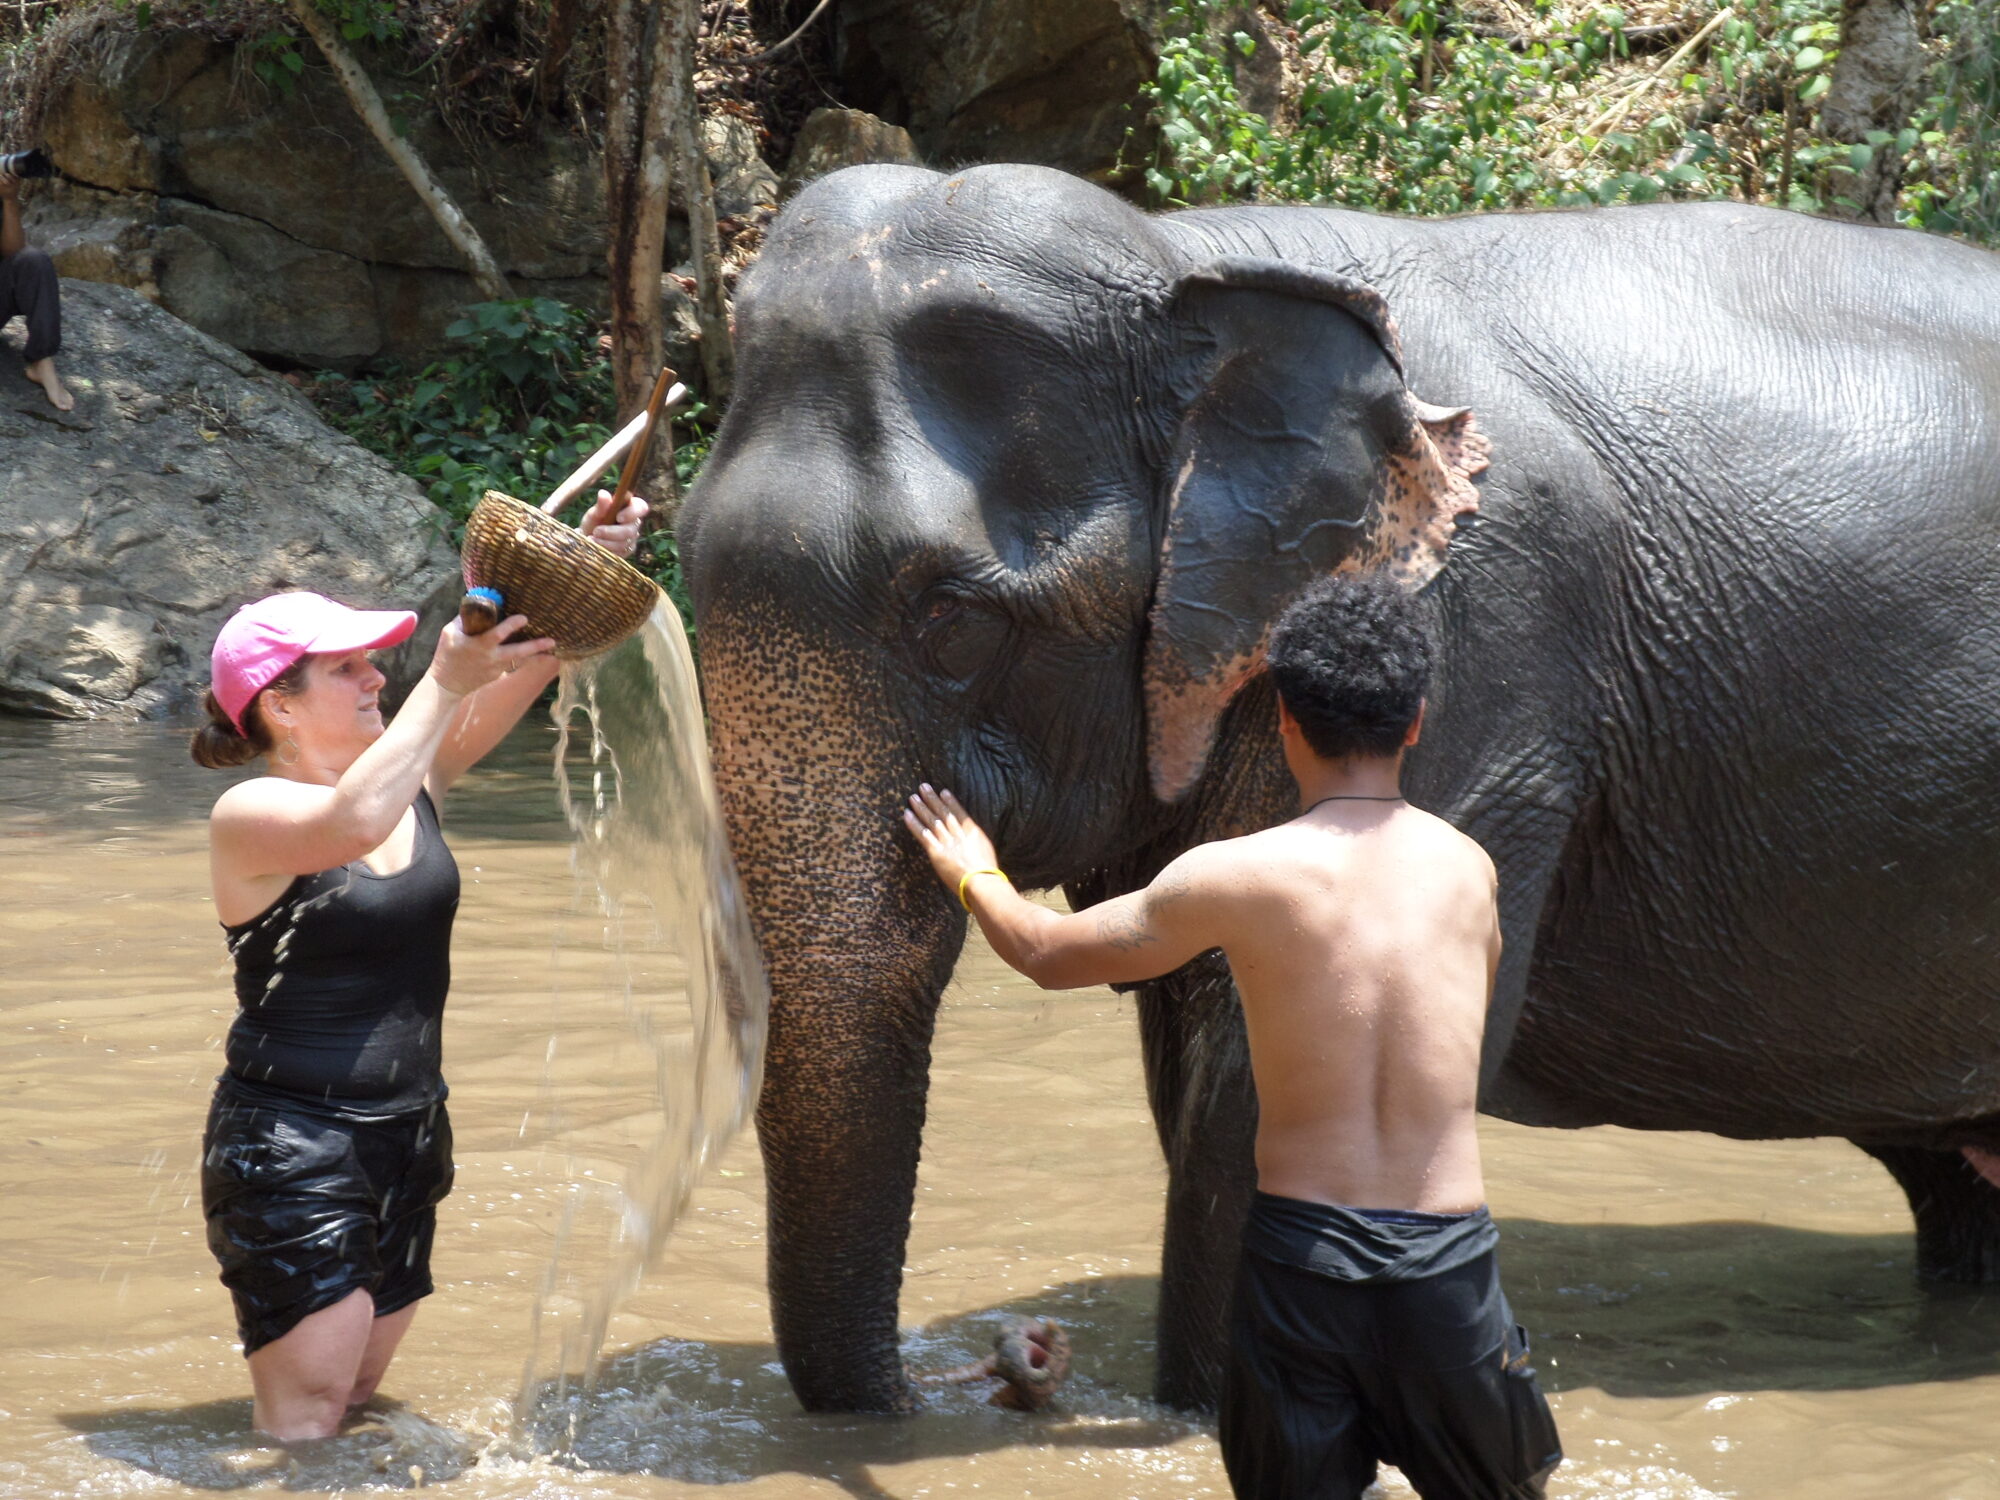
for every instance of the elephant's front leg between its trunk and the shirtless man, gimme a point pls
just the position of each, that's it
(1205, 1105)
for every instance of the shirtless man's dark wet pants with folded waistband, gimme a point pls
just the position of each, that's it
(1345, 1355)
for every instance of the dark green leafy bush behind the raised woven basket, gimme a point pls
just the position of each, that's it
(515, 411)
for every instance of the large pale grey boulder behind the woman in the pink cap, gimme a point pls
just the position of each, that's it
(185, 483)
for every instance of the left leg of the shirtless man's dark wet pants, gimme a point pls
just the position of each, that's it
(1291, 1423)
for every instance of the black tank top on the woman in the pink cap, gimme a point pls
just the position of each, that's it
(341, 985)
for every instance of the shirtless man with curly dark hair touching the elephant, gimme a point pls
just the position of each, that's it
(1363, 935)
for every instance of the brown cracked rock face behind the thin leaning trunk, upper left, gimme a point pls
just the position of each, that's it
(279, 225)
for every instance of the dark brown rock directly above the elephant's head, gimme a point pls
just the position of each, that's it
(1021, 81)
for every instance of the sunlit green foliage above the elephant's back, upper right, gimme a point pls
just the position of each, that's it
(1417, 109)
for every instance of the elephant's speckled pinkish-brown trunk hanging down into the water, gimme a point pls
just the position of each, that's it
(859, 943)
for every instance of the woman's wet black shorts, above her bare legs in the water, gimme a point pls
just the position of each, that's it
(305, 1207)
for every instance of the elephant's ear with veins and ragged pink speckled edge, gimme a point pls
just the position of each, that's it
(1299, 453)
